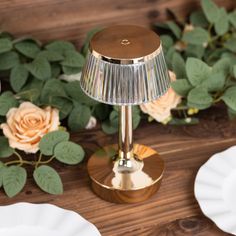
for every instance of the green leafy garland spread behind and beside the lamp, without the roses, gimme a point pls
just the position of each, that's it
(200, 51)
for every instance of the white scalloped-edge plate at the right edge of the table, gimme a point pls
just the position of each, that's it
(215, 189)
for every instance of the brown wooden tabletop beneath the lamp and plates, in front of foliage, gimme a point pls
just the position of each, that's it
(173, 210)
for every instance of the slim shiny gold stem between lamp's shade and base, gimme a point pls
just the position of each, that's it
(125, 137)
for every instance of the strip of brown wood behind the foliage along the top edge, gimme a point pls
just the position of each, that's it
(71, 19)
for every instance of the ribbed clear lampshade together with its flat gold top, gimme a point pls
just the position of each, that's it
(125, 66)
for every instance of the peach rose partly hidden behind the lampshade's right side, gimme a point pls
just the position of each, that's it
(160, 109)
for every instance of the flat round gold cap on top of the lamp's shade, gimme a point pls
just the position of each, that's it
(127, 43)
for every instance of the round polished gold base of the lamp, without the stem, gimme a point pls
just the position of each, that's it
(111, 185)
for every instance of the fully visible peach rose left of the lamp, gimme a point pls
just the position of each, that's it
(27, 124)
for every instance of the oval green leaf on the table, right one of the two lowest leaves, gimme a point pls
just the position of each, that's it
(48, 180)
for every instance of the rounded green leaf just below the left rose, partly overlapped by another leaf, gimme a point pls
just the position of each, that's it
(51, 139)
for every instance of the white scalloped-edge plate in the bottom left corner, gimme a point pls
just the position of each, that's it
(25, 219)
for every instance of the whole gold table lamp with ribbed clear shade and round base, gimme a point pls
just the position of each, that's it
(125, 66)
